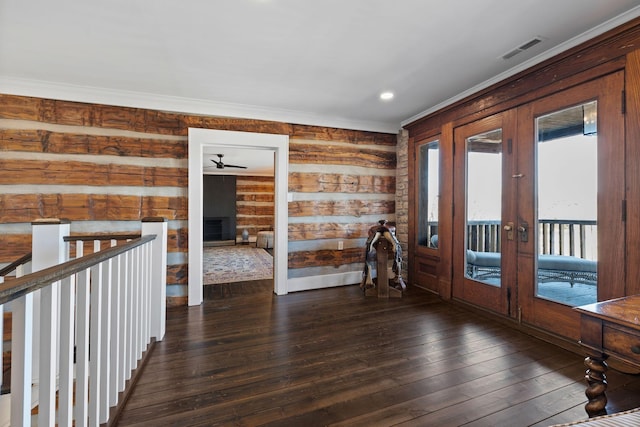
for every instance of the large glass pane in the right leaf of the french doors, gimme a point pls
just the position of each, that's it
(567, 179)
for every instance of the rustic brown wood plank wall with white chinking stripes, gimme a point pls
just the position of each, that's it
(106, 167)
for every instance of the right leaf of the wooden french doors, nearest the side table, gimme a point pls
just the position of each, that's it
(572, 153)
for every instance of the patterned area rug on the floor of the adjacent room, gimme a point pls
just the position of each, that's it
(239, 263)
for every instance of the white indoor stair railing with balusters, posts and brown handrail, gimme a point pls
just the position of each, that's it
(111, 302)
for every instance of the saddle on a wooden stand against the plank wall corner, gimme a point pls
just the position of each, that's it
(381, 242)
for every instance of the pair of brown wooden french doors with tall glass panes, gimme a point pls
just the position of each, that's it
(539, 206)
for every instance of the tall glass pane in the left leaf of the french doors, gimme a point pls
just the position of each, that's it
(484, 207)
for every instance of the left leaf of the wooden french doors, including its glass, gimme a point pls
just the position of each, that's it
(482, 162)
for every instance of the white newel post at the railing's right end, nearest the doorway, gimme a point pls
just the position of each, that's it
(158, 226)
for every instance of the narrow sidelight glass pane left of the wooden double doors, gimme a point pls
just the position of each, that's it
(429, 170)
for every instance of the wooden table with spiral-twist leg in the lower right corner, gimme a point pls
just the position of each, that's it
(608, 329)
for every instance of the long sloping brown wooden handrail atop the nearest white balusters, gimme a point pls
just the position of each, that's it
(34, 281)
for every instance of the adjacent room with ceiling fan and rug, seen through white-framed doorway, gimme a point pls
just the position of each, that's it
(238, 222)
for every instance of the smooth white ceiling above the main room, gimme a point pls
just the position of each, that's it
(321, 62)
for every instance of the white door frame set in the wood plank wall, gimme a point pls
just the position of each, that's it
(199, 139)
